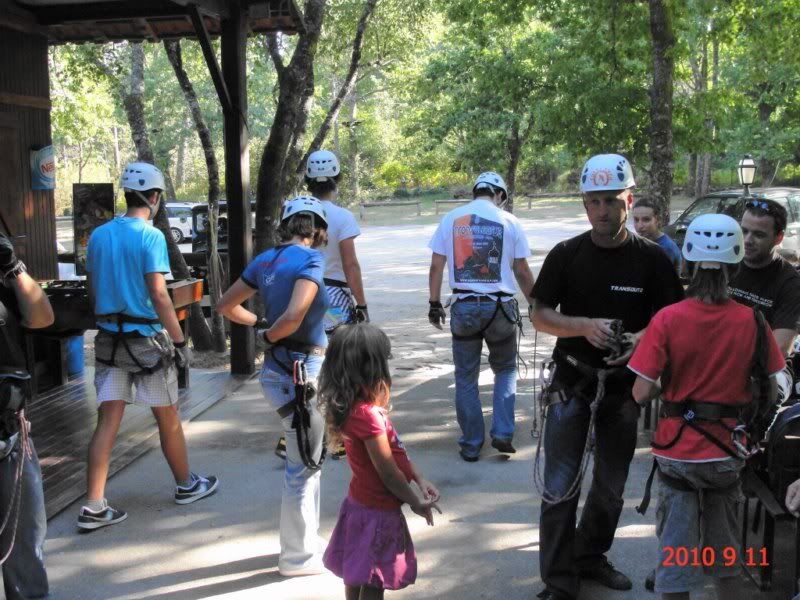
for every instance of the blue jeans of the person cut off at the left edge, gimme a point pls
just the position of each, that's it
(24, 576)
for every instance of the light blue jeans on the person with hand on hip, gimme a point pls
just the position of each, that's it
(299, 524)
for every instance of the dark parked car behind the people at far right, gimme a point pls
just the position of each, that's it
(732, 202)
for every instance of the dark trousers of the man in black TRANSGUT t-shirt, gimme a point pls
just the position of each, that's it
(563, 549)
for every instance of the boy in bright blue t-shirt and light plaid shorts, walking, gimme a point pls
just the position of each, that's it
(138, 345)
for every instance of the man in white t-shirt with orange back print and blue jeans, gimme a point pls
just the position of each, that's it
(485, 250)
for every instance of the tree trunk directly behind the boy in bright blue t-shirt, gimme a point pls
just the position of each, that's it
(133, 103)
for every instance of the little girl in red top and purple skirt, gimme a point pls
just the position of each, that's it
(370, 548)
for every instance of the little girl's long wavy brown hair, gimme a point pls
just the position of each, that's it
(356, 369)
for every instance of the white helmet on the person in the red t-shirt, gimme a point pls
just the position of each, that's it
(714, 238)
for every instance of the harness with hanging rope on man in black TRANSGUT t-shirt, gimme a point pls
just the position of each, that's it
(590, 375)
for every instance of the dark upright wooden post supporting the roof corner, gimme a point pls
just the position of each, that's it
(237, 172)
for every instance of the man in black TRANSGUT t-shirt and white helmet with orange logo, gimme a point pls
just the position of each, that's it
(586, 283)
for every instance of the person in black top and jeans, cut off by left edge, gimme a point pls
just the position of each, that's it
(22, 302)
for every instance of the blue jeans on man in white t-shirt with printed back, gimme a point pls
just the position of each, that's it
(467, 319)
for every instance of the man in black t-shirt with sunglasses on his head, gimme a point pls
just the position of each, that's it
(765, 280)
